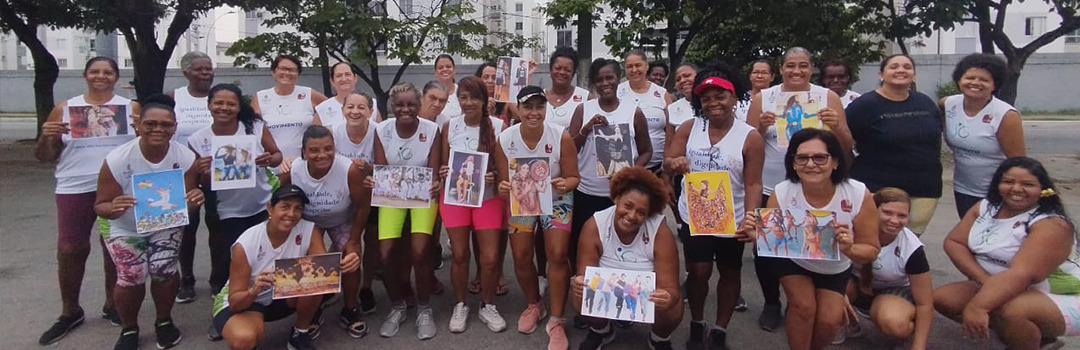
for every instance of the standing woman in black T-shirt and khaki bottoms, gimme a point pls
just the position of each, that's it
(898, 133)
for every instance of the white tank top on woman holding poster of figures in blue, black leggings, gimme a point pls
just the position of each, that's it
(241, 203)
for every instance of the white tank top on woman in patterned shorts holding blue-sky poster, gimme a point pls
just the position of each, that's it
(126, 161)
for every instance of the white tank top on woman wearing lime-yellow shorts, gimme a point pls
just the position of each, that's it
(408, 152)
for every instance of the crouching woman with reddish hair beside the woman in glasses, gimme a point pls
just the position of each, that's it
(897, 287)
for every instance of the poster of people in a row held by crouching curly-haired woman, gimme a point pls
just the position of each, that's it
(618, 294)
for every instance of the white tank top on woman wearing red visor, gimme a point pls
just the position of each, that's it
(726, 155)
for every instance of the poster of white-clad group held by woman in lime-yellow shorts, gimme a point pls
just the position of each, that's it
(402, 186)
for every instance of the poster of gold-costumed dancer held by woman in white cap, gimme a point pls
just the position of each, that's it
(531, 192)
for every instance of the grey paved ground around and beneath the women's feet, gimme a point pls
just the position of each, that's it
(30, 299)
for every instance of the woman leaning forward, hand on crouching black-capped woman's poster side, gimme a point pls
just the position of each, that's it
(325, 176)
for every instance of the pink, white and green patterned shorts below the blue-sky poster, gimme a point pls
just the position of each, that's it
(137, 258)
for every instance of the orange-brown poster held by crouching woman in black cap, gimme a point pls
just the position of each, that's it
(307, 276)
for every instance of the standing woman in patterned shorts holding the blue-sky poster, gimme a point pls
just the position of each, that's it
(132, 251)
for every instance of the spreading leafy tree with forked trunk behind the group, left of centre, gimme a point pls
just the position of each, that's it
(361, 32)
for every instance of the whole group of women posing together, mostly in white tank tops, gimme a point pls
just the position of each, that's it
(876, 166)
